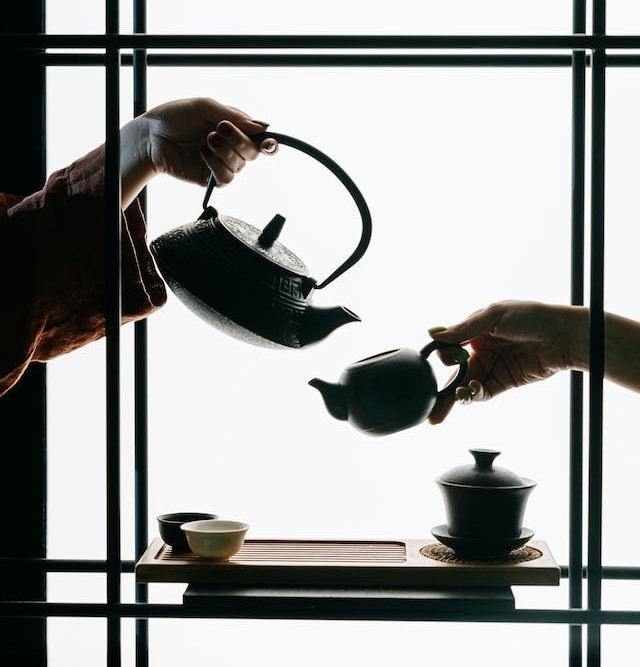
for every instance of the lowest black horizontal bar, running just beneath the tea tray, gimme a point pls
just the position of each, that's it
(287, 608)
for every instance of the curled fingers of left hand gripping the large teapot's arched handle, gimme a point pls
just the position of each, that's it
(229, 149)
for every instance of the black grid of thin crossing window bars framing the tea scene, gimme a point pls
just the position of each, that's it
(588, 52)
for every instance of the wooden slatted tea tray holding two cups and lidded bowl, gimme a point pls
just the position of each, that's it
(344, 563)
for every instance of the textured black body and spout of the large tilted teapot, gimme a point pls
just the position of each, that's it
(243, 293)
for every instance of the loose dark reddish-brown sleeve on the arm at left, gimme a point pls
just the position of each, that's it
(52, 268)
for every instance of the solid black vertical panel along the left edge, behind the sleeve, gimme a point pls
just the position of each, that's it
(22, 410)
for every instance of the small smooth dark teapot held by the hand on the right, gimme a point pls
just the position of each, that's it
(387, 392)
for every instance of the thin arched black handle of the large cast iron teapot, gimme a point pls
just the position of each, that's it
(344, 178)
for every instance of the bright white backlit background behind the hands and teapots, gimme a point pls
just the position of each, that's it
(467, 175)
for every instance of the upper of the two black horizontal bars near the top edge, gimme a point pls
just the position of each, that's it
(146, 41)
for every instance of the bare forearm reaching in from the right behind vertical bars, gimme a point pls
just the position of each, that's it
(622, 346)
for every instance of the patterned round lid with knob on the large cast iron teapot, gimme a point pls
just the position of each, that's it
(264, 242)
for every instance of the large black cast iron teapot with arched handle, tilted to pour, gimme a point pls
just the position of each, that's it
(244, 281)
